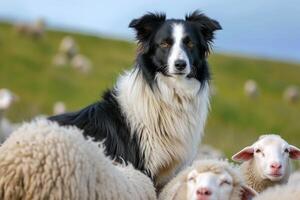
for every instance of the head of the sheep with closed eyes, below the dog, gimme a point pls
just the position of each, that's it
(218, 182)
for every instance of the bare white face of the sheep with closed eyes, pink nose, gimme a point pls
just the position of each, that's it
(209, 186)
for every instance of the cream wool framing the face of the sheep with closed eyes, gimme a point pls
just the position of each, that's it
(175, 189)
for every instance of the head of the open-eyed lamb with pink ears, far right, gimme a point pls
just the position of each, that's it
(270, 155)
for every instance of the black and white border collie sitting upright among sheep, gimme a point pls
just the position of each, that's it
(155, 115)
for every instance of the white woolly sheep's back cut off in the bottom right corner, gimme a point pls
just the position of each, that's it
(281, 192)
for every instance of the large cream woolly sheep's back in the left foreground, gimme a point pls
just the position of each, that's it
(42, 160)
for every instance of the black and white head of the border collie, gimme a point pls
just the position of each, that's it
(172, 47)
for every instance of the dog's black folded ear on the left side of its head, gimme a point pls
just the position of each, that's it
(145, 25)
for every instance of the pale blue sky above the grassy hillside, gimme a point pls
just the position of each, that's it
(266, 28)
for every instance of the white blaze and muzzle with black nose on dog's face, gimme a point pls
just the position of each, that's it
(178, 61)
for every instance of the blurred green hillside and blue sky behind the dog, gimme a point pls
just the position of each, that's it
(58, 56)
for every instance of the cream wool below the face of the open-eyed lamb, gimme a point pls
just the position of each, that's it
(254, 180)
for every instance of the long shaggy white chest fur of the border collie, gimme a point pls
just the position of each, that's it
(169, 119)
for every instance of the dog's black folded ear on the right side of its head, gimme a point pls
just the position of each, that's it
(206, 25)
